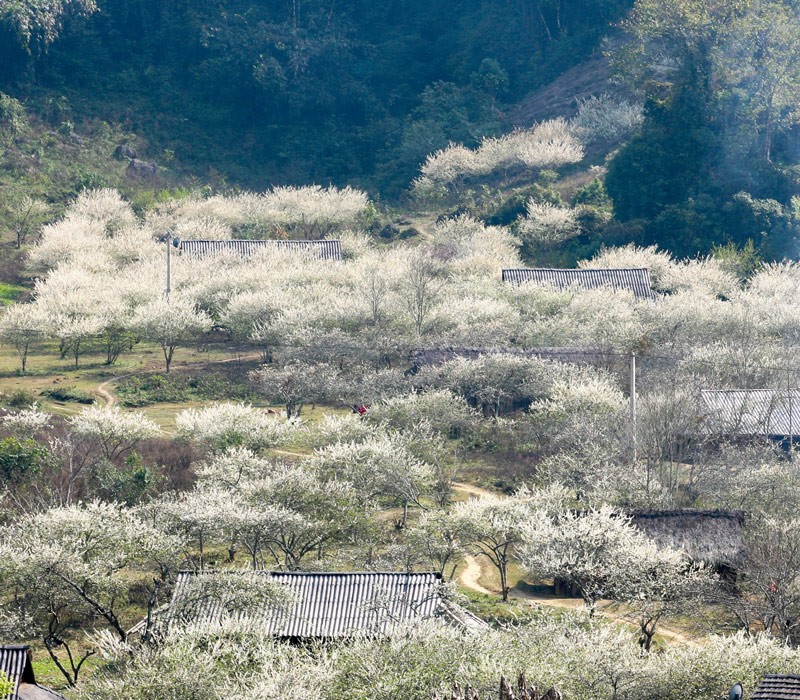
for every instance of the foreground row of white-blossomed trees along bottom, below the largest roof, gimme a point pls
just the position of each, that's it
(580, 658)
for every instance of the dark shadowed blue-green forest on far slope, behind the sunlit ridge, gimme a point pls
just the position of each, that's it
(299, 90)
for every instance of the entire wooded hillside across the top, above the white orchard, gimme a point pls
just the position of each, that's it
(231, 94)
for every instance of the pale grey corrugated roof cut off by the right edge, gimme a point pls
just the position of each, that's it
(762, 412)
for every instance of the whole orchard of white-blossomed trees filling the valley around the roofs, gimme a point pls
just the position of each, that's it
(98, 511)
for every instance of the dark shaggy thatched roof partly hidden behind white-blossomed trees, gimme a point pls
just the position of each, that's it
(711, 536)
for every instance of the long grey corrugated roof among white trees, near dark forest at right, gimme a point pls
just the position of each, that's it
(636, 280)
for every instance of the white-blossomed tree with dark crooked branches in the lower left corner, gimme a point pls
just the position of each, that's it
(62, 569)
